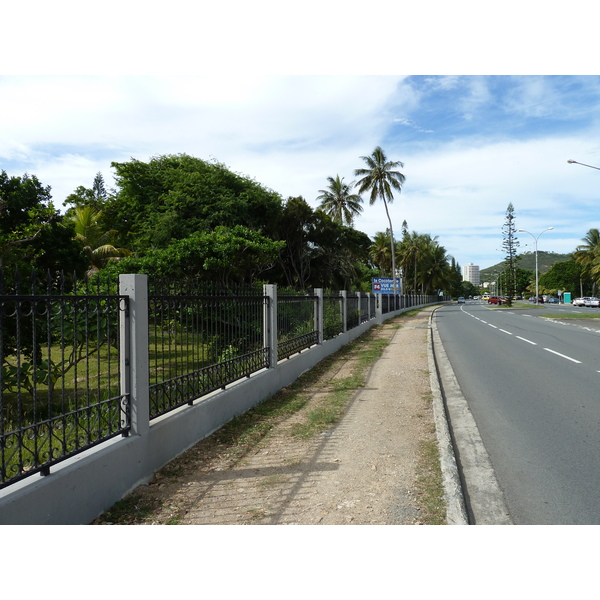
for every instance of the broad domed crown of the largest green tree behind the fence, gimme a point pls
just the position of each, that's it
(172, 196)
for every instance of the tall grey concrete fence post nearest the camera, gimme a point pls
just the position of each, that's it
(135, 361)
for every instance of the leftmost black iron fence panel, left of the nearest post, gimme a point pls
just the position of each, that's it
(59, 372)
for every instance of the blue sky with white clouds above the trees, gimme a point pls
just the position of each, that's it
(470, 144)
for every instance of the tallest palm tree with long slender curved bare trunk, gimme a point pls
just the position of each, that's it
(379, 178)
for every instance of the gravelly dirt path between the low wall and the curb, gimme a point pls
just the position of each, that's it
(366, 469)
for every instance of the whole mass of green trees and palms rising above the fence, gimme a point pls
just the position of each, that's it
(179, 216)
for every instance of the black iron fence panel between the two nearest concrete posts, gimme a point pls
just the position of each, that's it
(201, 341)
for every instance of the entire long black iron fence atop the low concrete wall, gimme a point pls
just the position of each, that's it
(65, 354)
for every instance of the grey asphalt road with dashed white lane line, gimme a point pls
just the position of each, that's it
(532, 387)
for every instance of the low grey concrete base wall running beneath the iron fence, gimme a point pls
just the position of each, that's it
(80, 489)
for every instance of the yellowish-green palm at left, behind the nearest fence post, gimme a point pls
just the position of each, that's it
(98, 245)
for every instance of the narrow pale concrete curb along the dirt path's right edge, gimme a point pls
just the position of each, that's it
(456, 513)
